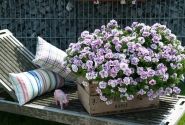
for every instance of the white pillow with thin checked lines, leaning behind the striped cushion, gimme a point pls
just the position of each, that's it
(52, 58)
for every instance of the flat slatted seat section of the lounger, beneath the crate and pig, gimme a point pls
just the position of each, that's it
(80, 116)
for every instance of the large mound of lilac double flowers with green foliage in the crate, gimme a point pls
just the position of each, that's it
(136, 60)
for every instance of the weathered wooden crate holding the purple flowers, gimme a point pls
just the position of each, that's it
(95, 107)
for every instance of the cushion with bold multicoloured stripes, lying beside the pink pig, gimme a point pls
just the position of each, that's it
(28, 85)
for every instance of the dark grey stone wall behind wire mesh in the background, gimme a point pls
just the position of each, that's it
(61, 21)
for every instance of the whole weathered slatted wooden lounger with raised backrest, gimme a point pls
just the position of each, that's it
(14, 57)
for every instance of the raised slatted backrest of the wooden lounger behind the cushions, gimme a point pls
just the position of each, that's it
(14, 58)
